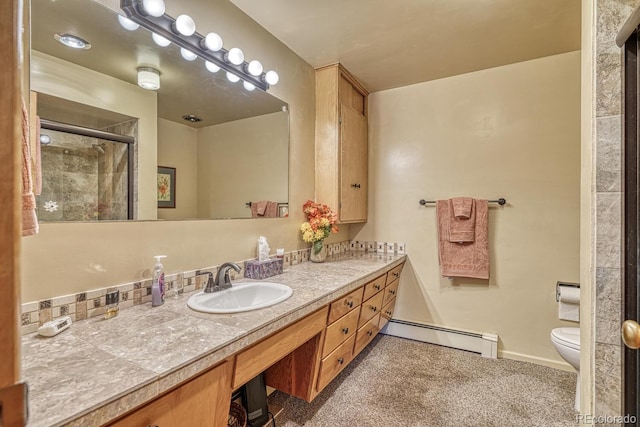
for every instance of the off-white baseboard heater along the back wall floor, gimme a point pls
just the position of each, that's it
(485, 344)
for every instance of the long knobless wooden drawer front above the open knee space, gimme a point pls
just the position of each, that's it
(256, 359)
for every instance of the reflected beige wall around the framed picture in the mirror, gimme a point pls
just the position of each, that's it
(178, 148)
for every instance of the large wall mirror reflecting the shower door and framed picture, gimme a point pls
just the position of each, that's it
(197, 147)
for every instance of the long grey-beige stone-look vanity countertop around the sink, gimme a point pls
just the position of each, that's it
(100, 369)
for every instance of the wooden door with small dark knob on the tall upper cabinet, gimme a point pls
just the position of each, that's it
(353, 165)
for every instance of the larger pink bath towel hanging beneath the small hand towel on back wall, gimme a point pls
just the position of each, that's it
(466, 259)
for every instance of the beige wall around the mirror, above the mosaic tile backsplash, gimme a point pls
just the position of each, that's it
(68, 258)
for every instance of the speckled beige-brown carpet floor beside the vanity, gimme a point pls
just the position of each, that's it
(404, 383)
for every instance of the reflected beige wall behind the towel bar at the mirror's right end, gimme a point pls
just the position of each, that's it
(242, 161)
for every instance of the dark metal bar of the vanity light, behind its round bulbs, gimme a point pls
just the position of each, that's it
(163, 25)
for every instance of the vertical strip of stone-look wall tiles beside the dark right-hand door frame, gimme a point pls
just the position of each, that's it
(610, 16)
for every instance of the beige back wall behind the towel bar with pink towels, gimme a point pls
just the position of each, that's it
(512, 132)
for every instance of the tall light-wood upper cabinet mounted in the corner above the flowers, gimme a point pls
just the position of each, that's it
(341, 143)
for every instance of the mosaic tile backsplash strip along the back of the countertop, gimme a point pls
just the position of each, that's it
(93, 303)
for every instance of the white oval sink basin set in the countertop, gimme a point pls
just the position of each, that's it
(243, 296)
